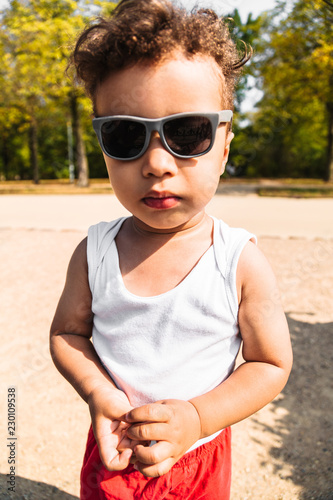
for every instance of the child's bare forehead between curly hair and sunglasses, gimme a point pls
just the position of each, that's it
(174, 85)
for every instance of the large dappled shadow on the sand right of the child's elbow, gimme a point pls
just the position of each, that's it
(305, 429)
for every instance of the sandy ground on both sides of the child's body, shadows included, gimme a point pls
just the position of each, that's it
(283, 452)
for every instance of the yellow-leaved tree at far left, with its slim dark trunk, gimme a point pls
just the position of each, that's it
(31, 40)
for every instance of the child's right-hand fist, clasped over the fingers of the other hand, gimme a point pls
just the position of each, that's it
(173, 423)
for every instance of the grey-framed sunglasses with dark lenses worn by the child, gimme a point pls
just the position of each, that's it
(184, 135)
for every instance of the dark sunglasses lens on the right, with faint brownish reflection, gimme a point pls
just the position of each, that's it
(188, 136)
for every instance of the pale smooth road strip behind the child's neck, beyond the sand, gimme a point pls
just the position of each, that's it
(276, 217)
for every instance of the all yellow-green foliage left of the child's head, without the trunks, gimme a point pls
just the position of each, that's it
(36, 39)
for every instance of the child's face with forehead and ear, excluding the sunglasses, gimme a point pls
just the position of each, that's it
(160, 190)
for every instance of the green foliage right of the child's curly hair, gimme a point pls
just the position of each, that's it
(289, 133)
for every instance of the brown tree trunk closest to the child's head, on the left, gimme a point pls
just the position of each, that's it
(80, 150)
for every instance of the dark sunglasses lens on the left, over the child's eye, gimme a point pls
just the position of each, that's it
(123, 138)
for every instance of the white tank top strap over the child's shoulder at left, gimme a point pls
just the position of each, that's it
(100, 238)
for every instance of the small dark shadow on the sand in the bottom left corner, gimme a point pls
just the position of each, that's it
(25, 489)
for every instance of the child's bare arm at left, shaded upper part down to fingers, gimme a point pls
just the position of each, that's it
(74, 355)
